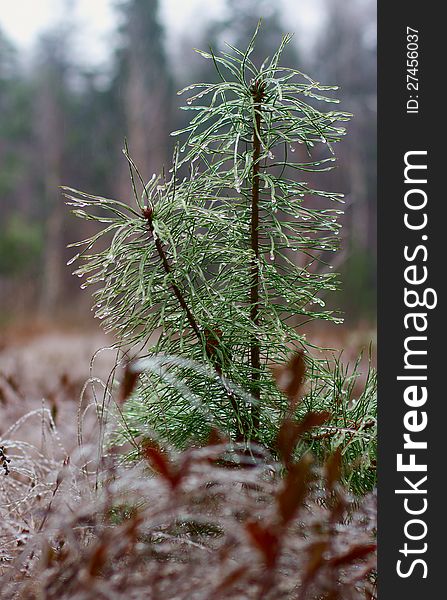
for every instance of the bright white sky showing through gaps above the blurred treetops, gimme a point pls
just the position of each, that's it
(94, 21)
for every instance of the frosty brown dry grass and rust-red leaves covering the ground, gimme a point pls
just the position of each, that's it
(81, 523)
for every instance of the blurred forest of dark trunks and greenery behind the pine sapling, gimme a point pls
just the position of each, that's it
(63, 121)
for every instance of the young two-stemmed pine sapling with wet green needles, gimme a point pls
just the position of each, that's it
(204, 266)
